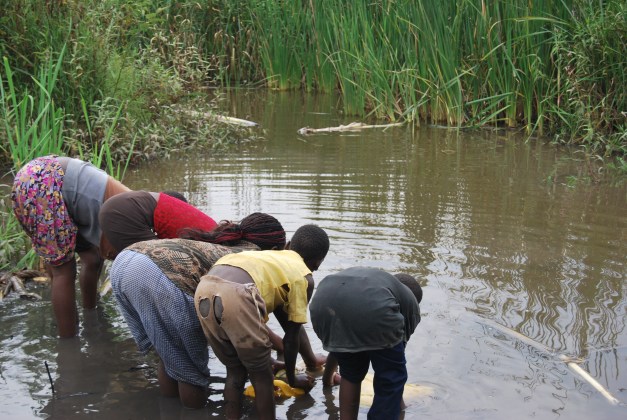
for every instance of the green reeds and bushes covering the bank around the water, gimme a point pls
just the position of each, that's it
(116, 81)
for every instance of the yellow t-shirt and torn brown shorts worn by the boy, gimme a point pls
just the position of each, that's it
(233, 315)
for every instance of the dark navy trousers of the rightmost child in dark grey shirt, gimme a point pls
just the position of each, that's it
(390, 376)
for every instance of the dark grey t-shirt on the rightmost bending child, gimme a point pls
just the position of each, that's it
(360, 309)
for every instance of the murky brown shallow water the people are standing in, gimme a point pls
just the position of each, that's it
(506, 236)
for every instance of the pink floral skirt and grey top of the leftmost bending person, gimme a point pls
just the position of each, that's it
(57, 200)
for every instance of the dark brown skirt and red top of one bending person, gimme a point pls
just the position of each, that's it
(142, 216)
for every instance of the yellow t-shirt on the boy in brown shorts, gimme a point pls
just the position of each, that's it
(280, 278)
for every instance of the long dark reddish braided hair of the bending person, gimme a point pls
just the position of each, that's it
(261, 229)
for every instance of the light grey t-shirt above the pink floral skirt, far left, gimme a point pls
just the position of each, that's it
(83, 192)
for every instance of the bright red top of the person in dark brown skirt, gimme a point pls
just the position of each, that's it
(171, 215)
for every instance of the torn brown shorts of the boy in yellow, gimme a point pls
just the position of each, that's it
(232, 316)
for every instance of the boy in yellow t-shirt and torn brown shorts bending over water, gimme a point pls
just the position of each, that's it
(233, 302)
